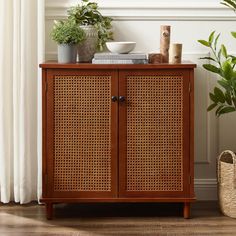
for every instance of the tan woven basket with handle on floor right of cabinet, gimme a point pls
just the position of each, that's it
(227, 183)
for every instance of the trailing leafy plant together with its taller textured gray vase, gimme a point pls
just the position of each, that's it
(96, 26)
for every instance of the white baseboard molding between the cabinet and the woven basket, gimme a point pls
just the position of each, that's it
(206, 189)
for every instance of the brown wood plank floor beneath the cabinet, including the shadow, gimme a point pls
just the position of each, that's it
(114, 219)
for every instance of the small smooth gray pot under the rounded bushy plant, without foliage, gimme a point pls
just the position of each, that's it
(67, 53)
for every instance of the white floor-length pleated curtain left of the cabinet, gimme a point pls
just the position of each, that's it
(21, 49)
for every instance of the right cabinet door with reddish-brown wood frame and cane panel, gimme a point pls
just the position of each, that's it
(154, 133)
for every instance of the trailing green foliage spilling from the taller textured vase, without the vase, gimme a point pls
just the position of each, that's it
(87, 13)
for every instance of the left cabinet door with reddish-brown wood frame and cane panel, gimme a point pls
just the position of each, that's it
(81, 134)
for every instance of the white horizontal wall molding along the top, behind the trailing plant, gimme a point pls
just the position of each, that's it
(150, 10)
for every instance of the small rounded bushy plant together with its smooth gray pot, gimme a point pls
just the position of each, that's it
(67, 34)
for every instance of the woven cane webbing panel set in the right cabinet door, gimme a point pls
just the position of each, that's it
(154, 133)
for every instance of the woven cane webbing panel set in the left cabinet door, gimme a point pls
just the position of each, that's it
(82, 137)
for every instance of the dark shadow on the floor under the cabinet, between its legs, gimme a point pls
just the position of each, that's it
(118, 210)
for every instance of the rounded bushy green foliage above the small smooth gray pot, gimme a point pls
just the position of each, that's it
(67, 32)
